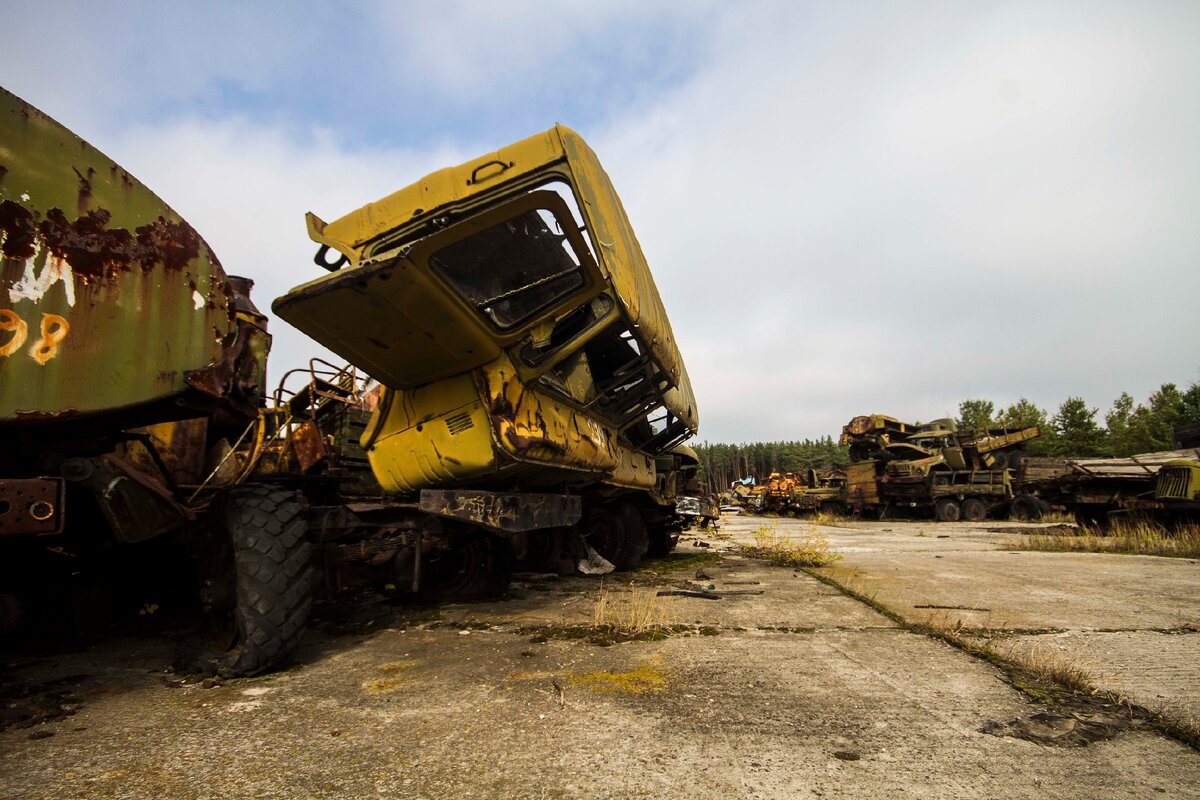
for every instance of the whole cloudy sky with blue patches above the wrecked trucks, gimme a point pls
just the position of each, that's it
(849, 208)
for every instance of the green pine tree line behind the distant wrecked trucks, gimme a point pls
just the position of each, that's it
(1073, 431)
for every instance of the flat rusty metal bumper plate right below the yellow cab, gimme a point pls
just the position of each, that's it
(511, 514)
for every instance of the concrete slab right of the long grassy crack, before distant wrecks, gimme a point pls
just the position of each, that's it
(1132, 622)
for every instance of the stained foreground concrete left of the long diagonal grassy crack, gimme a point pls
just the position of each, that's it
(795, 693)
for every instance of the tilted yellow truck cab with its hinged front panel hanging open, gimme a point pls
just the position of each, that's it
(509, 314)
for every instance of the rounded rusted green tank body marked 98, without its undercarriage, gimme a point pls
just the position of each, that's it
(113, 310)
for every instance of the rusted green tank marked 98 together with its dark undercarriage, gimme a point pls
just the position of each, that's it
(127, 356)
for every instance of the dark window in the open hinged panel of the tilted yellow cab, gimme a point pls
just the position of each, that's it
(514, 269)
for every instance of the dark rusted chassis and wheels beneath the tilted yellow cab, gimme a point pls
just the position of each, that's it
(466, 544)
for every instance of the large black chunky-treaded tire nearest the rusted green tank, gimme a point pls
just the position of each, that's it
(261, 604)
